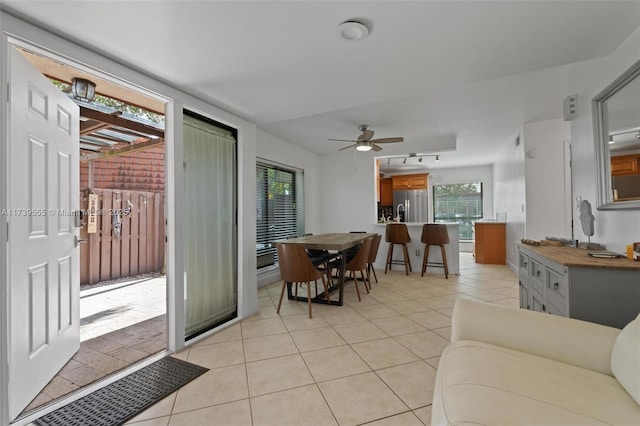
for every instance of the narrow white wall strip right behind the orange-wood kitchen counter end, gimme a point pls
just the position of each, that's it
(509, 195)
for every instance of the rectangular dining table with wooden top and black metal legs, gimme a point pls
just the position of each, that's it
(338, 242)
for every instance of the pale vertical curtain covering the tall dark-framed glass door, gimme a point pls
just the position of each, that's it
(209, 225)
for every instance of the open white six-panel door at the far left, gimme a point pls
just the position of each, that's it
(43, 261)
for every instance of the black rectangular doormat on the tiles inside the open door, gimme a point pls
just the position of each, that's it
(122, 400)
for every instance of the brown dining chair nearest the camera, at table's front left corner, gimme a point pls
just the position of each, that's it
(296, 267)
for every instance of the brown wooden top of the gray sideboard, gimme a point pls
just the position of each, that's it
(570, 256)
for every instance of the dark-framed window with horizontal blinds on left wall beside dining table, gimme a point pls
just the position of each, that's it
(279, 208)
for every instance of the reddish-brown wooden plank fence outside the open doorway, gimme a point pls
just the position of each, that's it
(139, 249)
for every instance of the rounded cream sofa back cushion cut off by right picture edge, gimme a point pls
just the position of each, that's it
(625, 358)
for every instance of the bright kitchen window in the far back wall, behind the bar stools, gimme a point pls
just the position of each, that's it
(460, 203)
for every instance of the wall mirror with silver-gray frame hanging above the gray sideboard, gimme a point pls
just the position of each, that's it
(616, 123)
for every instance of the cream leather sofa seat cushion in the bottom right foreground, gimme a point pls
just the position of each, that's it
(480, 383)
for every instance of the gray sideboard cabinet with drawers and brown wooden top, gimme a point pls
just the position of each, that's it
(567, 281)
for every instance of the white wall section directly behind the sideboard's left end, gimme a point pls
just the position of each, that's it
(544, 164)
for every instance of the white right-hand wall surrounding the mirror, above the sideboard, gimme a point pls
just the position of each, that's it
(615, 229)
